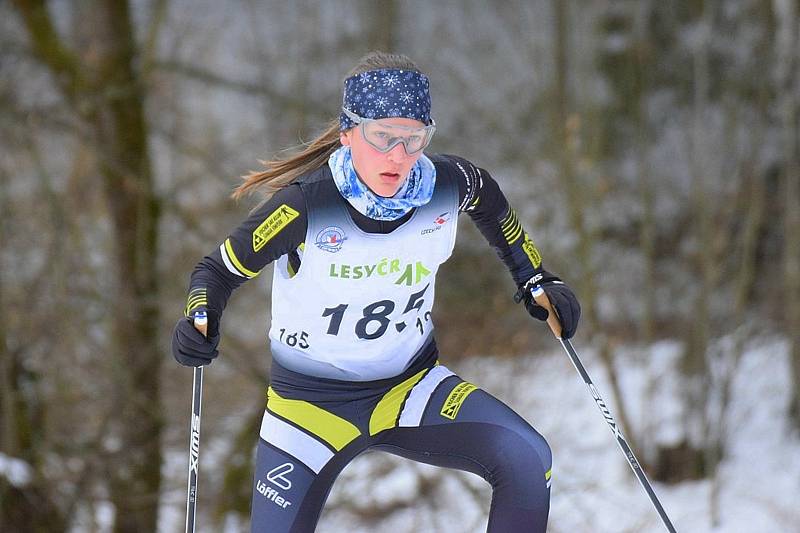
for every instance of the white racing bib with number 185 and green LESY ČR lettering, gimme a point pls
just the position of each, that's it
(359, 307)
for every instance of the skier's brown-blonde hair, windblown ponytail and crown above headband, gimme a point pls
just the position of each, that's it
(281, 171)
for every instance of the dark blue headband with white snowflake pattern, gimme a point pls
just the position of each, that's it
(385, 93)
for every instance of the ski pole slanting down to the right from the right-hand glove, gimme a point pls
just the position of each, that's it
(552, 321)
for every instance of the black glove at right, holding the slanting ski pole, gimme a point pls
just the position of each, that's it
(561, 298)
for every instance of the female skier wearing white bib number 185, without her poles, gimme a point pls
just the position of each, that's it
(358, 223)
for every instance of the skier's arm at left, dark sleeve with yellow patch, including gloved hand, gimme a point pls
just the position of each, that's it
(276, 228)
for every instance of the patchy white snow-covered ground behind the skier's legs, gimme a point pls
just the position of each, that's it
(594, 489)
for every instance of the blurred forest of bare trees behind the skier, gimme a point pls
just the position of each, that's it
(650, 148)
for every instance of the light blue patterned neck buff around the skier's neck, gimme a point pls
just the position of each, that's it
(415, 191)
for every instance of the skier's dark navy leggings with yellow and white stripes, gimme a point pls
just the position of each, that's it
(309, 435)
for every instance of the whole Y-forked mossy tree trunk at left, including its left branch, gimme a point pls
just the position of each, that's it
(105, 92)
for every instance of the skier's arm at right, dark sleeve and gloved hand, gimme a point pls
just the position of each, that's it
(481, 198)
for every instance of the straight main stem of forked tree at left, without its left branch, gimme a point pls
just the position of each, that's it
(134, 209)
